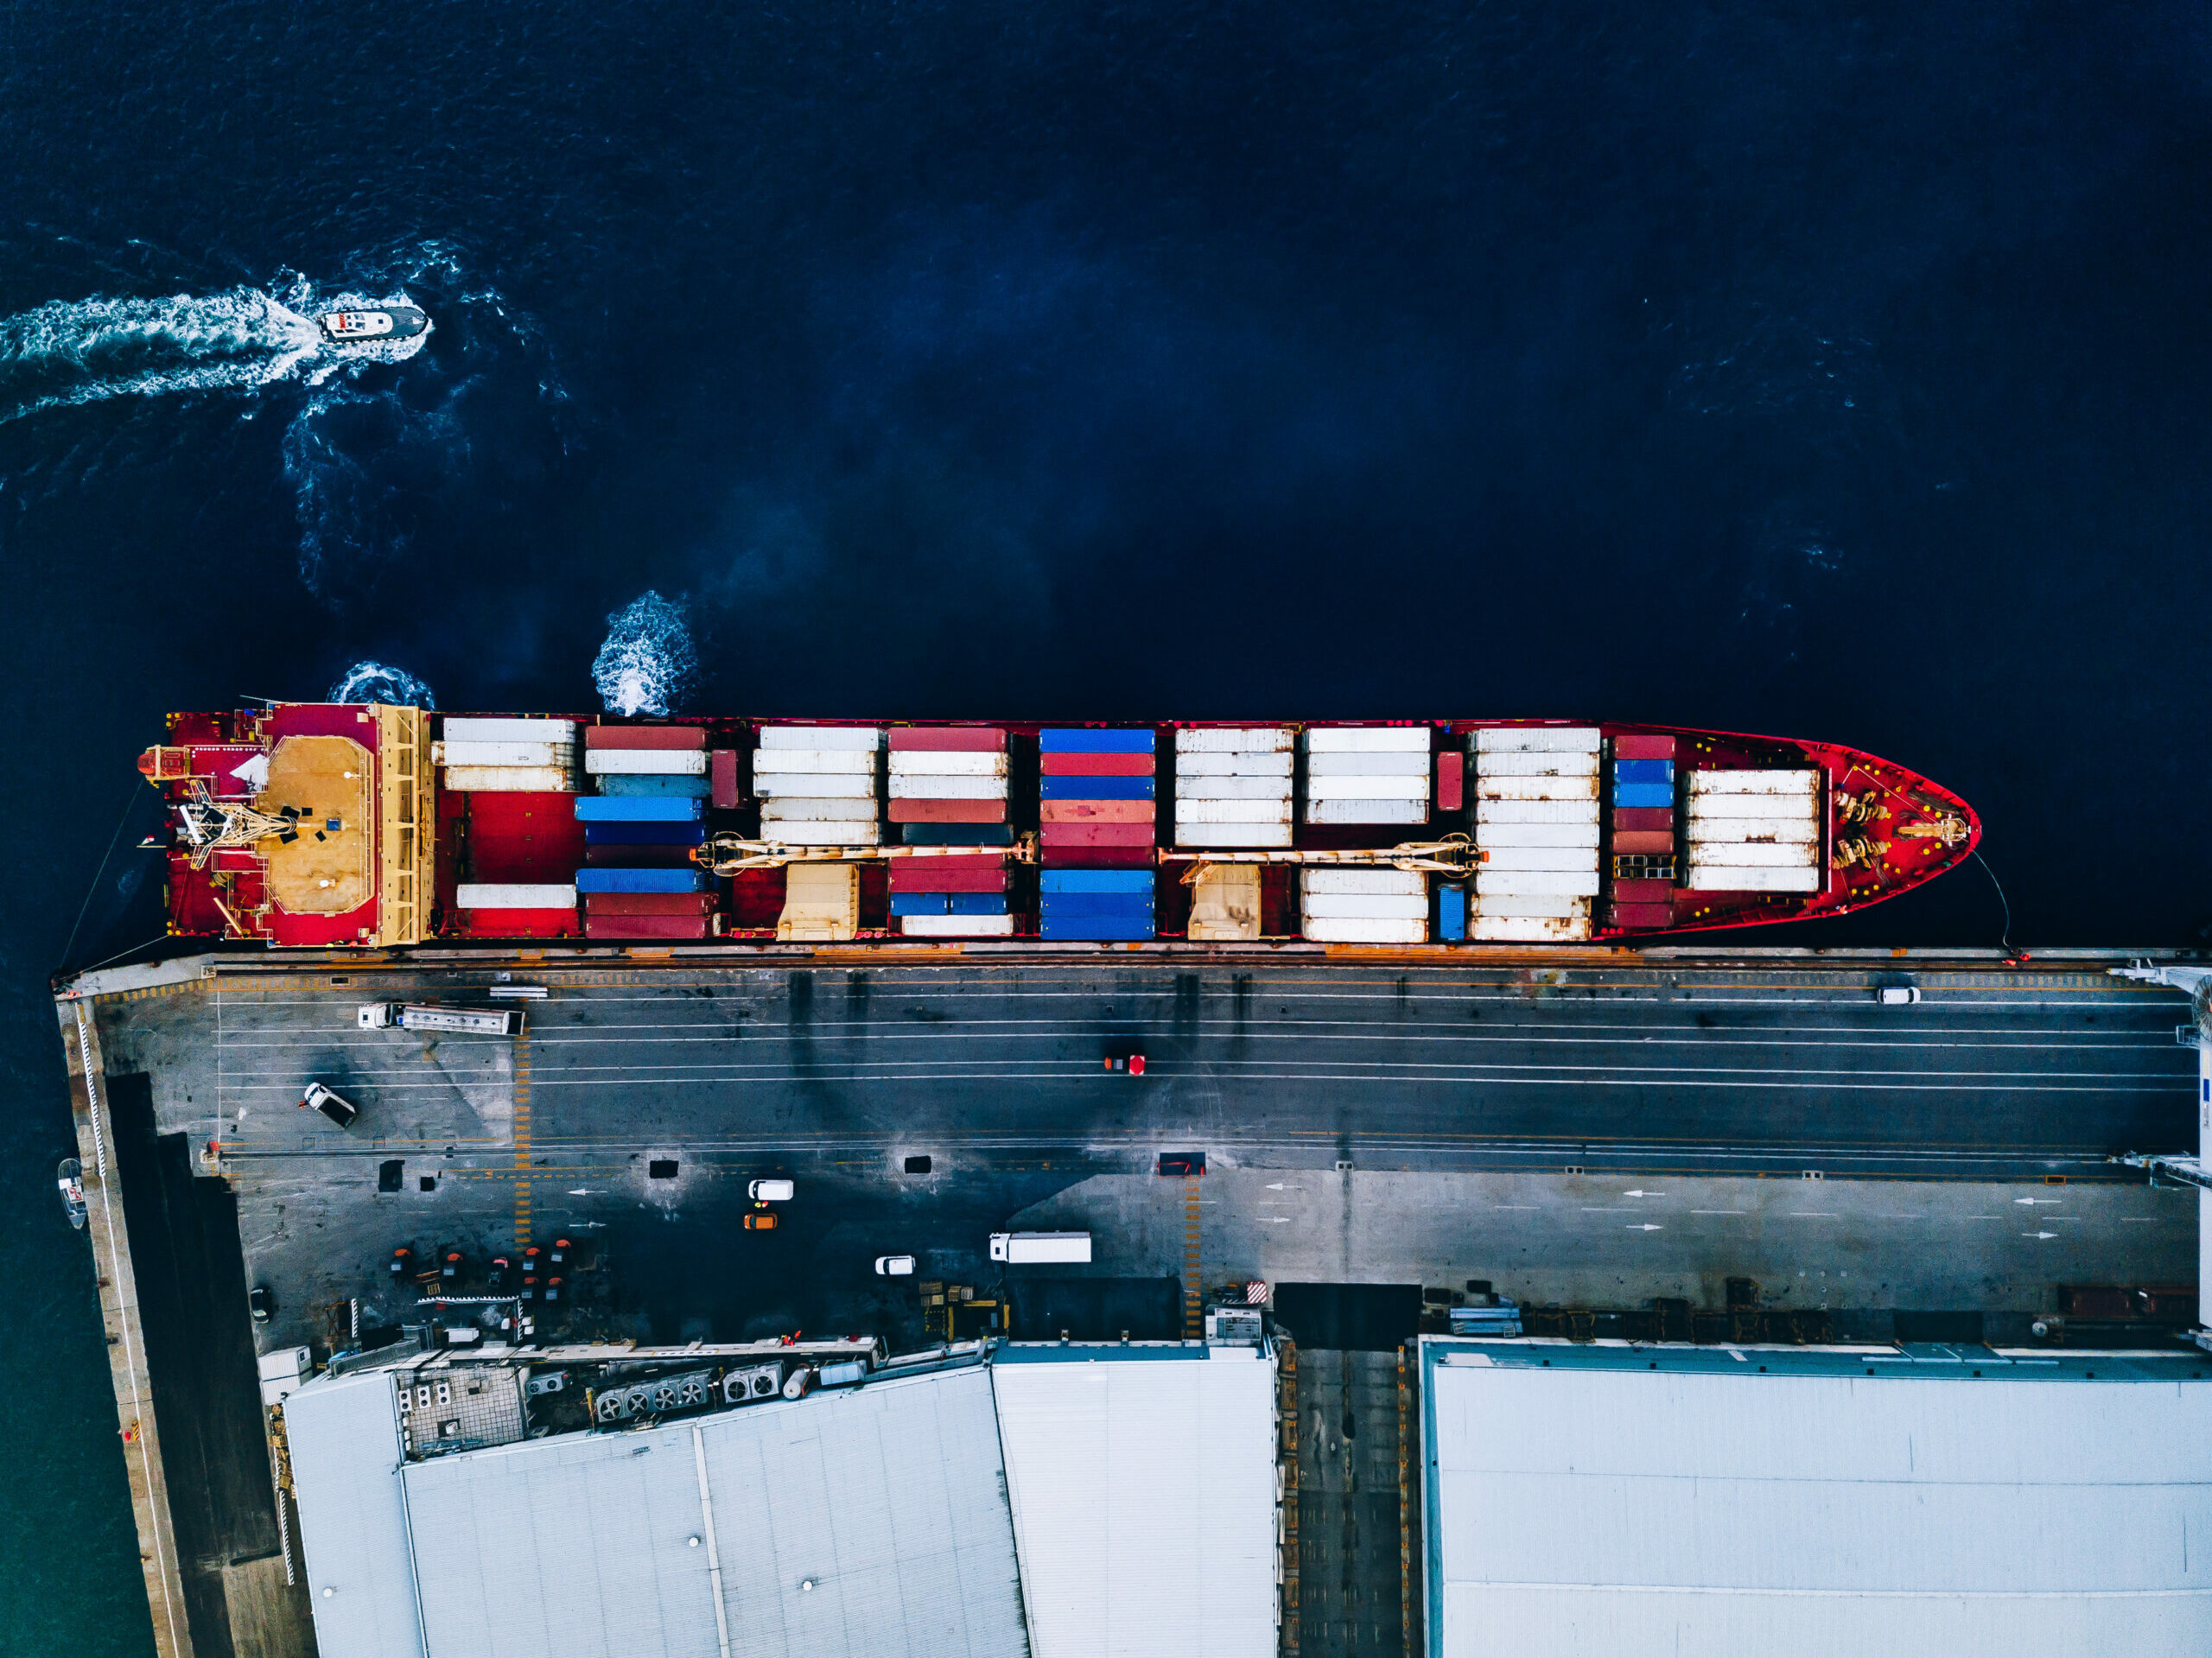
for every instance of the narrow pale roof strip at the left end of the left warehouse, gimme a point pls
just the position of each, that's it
(353, 1515)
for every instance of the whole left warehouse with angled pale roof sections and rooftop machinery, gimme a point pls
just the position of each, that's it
(1054, 1500)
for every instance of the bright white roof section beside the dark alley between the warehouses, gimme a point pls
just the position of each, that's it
(1142, 1487)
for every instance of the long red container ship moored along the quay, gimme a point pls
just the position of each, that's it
(335, 826)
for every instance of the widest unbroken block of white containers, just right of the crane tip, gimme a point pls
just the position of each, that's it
(1536, 826)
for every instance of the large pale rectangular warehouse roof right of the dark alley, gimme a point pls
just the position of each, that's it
(1618, 1511)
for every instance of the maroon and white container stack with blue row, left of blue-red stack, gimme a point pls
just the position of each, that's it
(950, 784)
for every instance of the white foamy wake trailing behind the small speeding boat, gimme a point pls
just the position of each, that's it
(90, 350)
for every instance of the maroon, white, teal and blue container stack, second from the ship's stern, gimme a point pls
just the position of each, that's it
(640, 832)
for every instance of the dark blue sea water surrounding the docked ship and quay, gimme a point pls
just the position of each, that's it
(1804, 368)
